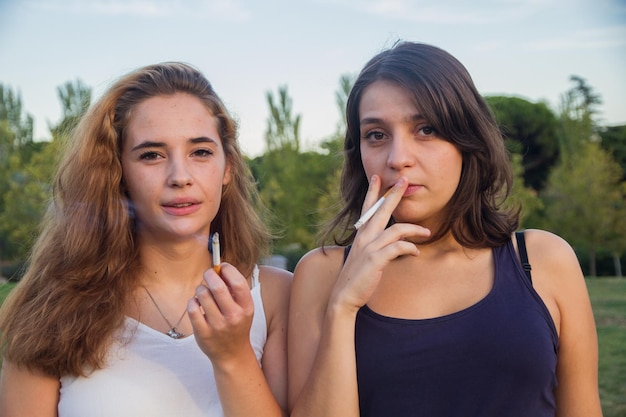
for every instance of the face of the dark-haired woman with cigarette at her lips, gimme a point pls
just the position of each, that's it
(397, 141)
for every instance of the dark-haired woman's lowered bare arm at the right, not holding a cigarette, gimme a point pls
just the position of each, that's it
(559, 281)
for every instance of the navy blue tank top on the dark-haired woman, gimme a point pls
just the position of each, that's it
(496, 358)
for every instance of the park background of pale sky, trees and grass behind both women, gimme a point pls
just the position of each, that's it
(551, 70)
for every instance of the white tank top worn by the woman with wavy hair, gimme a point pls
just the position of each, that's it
(153, 375)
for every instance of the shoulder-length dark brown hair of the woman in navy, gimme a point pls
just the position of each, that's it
(446, 97)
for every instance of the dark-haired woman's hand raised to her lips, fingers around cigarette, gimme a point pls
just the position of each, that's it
(374, 247)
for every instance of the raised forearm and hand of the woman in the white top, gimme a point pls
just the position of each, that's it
(221, 315)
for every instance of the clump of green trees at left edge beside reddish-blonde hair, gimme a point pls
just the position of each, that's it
(28, 167)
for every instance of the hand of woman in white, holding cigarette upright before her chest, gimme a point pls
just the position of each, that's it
(221, 314)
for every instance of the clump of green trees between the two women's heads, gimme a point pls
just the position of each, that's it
(294, 183)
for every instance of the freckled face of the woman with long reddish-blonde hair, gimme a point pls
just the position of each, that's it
(174, 167)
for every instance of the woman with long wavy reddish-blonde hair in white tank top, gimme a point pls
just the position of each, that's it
(121, 311)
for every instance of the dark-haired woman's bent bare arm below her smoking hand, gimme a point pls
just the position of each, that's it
(322, 365)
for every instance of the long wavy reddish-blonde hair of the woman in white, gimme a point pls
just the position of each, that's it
(83, 268)
